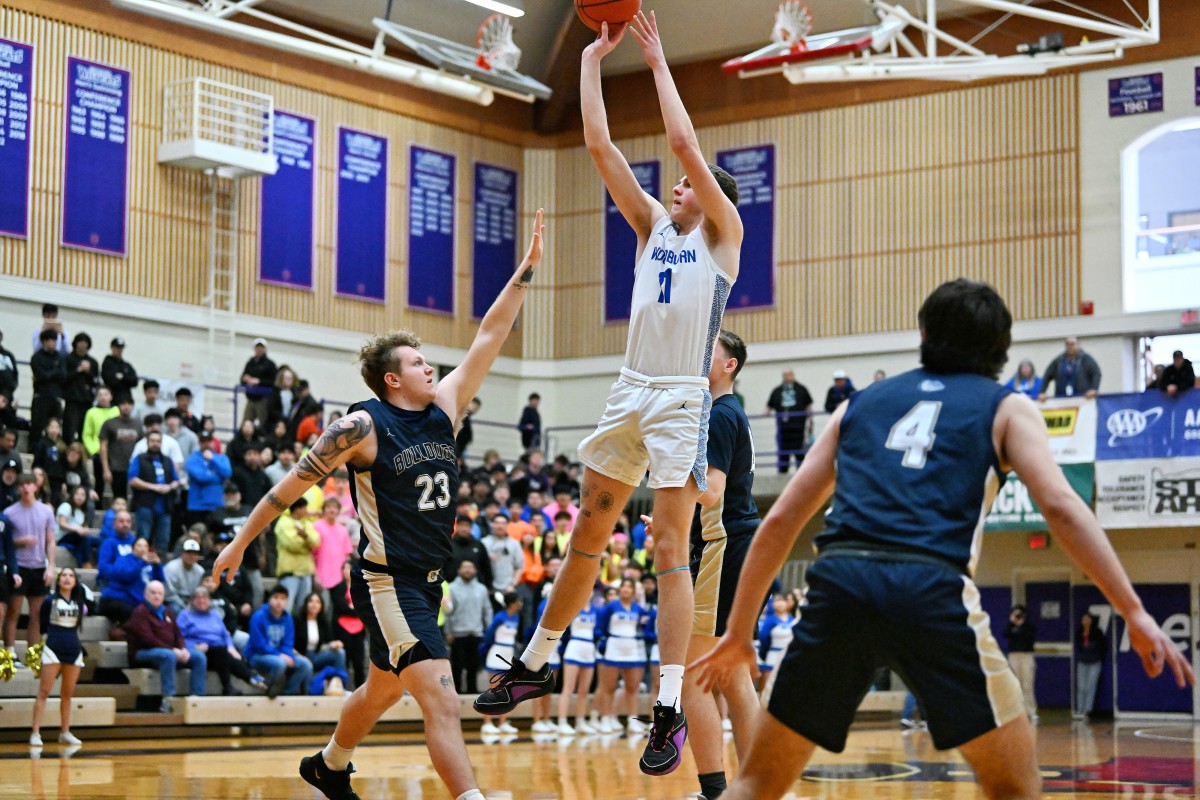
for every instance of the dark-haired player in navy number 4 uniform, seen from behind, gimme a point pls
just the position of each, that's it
(914, 465)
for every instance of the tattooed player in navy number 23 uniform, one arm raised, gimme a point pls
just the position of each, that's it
(400, 450)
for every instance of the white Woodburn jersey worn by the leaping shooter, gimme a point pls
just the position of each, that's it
(680, 296)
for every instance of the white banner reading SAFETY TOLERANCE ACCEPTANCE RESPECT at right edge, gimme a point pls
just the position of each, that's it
(1149, 494)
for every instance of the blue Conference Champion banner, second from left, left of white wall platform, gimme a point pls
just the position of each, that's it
(97, 155)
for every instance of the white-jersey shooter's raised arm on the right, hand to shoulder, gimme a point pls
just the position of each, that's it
(721, 215)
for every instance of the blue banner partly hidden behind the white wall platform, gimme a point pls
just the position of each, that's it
(285, 231)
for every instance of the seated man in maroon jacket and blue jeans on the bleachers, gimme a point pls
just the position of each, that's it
(155, 641)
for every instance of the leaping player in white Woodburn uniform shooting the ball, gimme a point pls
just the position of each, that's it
(657, 414)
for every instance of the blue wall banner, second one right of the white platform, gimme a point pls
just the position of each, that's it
(362, 261)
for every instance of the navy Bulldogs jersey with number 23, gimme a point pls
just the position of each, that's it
(406, 502)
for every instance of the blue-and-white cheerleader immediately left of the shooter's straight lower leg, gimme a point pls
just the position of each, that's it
(621, 627)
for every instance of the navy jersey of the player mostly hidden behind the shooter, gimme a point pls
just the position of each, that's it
(730, 450)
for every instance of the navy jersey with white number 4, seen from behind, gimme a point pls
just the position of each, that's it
(916, 466)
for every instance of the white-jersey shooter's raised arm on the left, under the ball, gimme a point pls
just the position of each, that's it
(641, 210)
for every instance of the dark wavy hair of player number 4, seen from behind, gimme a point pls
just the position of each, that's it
(968, 328)
